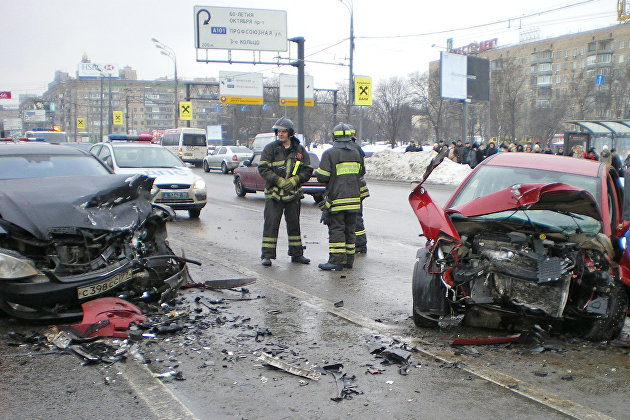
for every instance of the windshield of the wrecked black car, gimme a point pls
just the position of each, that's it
(39, 166)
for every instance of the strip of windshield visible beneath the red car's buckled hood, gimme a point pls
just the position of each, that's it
(546, 221)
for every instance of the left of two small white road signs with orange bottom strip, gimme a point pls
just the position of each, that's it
(240, 88)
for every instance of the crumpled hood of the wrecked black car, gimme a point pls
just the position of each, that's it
(107, 202)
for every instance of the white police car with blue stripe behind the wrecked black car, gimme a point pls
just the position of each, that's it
(175, 184)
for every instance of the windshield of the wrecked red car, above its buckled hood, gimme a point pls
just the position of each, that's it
(490, 179)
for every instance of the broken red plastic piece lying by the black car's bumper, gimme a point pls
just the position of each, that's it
(108, 317)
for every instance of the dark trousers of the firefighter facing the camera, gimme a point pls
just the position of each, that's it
(273, 214)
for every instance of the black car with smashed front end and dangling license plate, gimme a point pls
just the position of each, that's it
(72, 231)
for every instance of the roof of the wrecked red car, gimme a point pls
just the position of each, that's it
(544, 161)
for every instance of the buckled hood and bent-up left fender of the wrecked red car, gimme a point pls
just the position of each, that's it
(556, 197)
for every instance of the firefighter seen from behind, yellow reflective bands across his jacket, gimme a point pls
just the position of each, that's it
(341, 169)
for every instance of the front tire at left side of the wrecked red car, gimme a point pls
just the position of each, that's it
(427, 294)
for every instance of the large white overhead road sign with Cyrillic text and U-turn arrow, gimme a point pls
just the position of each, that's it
(229, 28)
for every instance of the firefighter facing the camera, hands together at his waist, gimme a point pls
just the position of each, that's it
(285, 165)
